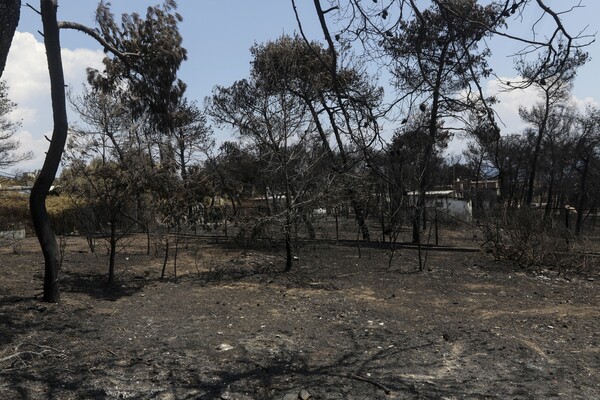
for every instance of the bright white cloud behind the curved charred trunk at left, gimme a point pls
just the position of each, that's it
(26, 74)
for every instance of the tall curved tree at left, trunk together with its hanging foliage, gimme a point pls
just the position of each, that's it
(149, 53)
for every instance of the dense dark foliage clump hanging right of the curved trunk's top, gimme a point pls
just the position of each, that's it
(151, 53)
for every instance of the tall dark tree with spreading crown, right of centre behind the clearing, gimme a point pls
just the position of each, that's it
(439, 65)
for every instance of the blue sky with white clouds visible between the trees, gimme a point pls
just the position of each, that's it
(218, 35)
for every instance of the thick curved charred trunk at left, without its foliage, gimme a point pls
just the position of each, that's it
(41, 187)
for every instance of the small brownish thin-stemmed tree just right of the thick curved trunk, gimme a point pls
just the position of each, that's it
(106, 171)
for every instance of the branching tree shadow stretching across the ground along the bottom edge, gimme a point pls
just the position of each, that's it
(352, 374)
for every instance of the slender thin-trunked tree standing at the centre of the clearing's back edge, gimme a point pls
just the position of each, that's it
(279, 124)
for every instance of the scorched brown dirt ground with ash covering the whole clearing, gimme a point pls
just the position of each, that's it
(232, 325)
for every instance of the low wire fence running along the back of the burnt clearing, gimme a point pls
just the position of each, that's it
(246, 224)
